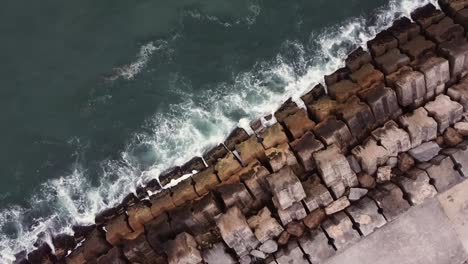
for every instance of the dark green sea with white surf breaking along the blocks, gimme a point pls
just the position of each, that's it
(97, 98)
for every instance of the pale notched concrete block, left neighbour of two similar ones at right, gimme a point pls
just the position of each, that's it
(392, 138)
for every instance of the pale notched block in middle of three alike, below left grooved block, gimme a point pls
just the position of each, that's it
(420, 126)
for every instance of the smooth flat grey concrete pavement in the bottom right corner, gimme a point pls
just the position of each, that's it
(423, 235)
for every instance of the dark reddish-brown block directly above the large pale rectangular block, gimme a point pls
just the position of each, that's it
(333, 131)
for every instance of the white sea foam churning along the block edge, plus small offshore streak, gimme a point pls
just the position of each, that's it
(188, 129)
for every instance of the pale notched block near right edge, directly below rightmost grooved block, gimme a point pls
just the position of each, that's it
(445, 111)
